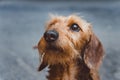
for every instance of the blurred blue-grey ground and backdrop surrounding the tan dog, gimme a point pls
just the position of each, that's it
(22, 25)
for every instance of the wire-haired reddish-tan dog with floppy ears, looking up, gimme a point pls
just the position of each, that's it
(70, 49)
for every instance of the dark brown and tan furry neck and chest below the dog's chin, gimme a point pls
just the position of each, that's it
(73, 70)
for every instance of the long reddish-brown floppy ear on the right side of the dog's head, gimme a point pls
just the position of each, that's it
(93, 52)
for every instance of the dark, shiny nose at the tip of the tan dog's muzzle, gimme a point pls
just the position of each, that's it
(51, 35)
